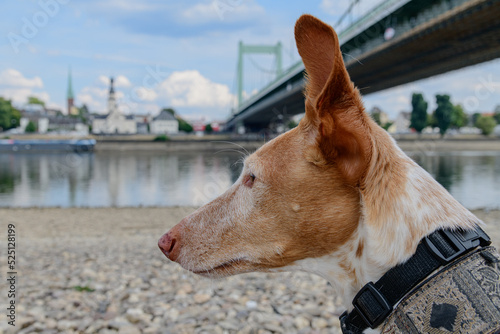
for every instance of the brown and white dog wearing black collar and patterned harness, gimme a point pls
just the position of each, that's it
(337, 197)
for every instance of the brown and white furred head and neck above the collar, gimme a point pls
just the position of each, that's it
(335, 196)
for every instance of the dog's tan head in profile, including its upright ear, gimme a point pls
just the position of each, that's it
(297, 196)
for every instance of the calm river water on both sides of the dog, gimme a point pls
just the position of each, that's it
(169, 179)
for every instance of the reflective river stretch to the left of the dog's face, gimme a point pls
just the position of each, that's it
(94, 180)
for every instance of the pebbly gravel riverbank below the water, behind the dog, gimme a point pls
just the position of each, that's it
(100, 271)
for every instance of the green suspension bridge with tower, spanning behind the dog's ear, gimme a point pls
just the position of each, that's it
(397, 42)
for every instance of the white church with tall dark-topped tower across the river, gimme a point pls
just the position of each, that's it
(114, 122)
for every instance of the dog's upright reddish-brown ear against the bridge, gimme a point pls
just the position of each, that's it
(333, 105)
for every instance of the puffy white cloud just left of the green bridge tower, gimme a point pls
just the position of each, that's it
(191, 89)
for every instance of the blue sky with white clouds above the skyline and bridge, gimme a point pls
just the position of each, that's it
(181, 54)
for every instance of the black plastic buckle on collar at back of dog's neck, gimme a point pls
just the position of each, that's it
(447, 245)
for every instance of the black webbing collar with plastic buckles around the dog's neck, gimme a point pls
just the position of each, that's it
(375, 301)
